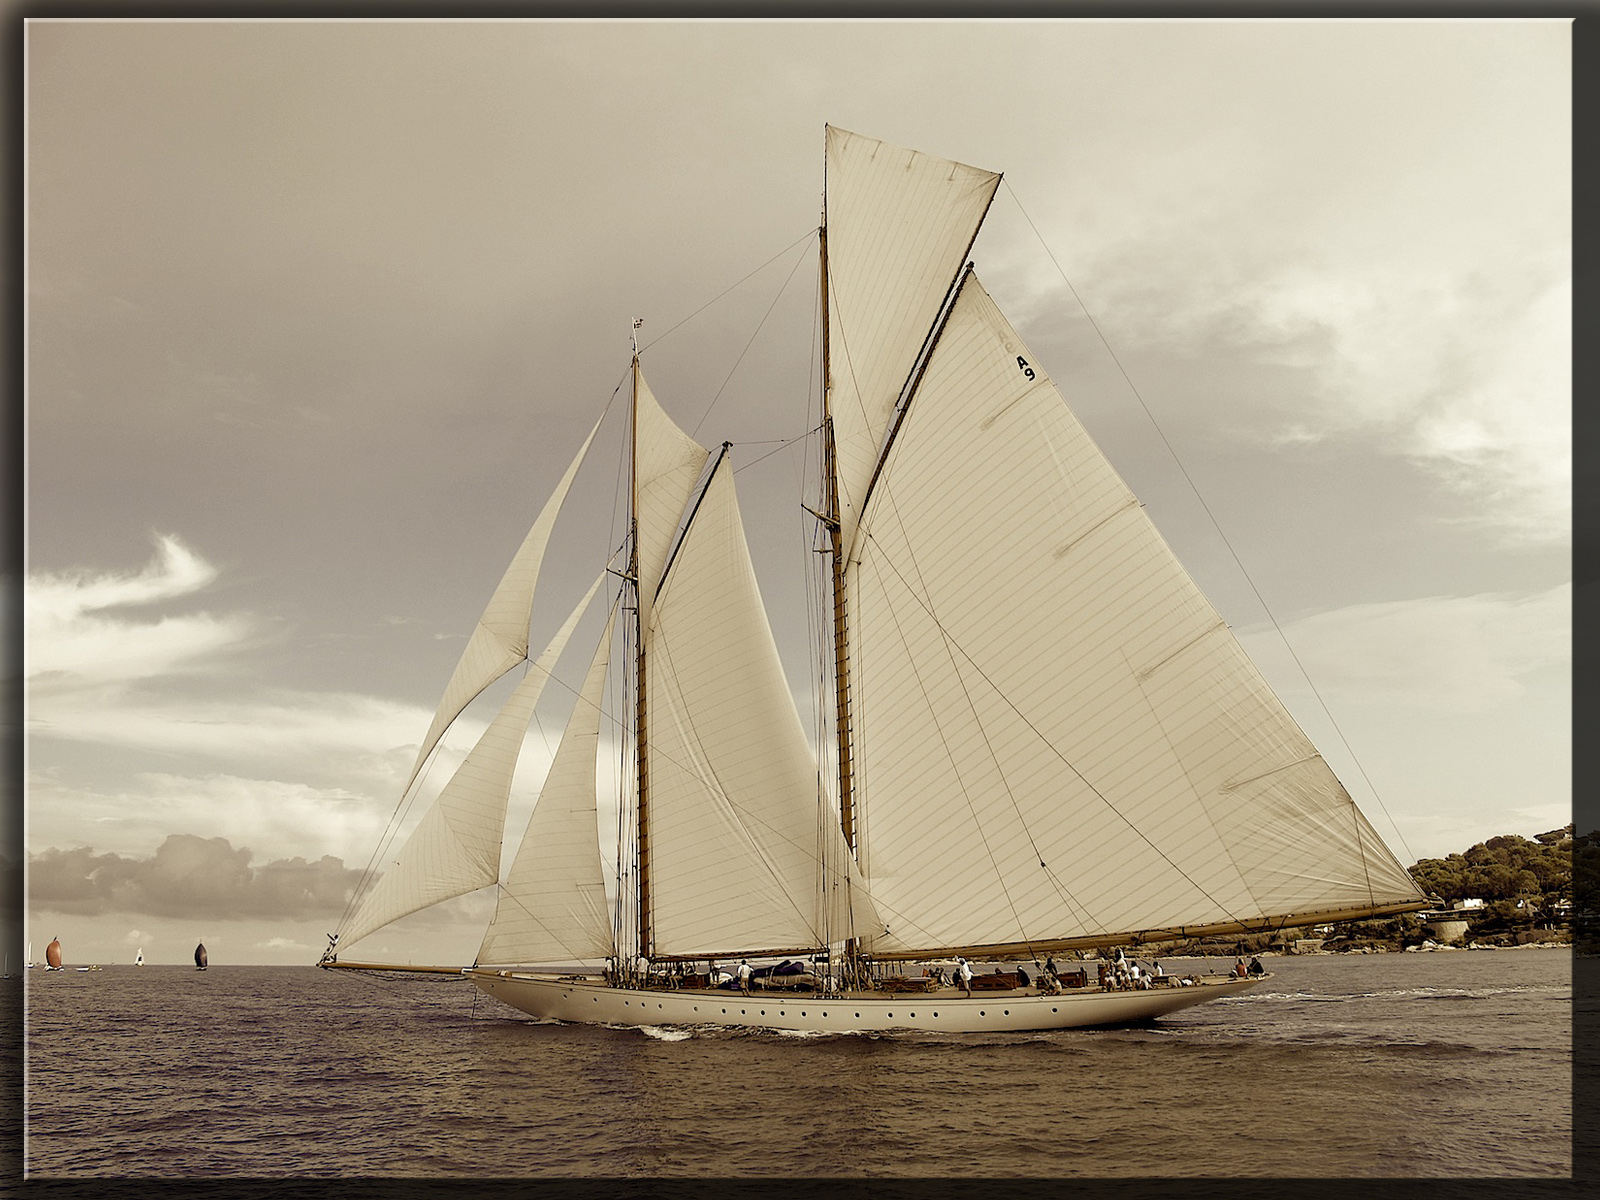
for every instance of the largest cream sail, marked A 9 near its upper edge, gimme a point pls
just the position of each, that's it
(1058, 737)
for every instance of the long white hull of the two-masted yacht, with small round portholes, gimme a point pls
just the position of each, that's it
(593, 1002)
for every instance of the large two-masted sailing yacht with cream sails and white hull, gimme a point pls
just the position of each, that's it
(1042, 740)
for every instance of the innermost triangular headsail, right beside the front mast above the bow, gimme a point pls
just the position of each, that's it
(553, 905)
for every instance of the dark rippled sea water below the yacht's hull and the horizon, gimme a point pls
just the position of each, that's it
(1406, 1065)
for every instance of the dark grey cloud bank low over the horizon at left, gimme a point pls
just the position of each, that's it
(190, 878)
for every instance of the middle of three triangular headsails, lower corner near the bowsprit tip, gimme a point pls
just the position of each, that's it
(457, 846)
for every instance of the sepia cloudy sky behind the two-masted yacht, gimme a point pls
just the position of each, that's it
(318, 313)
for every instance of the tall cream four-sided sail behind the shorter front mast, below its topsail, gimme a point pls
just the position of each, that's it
(737, 831)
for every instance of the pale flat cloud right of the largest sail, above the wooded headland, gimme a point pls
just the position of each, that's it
(1441, 654)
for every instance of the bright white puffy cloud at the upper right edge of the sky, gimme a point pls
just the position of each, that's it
(1473, 383)
